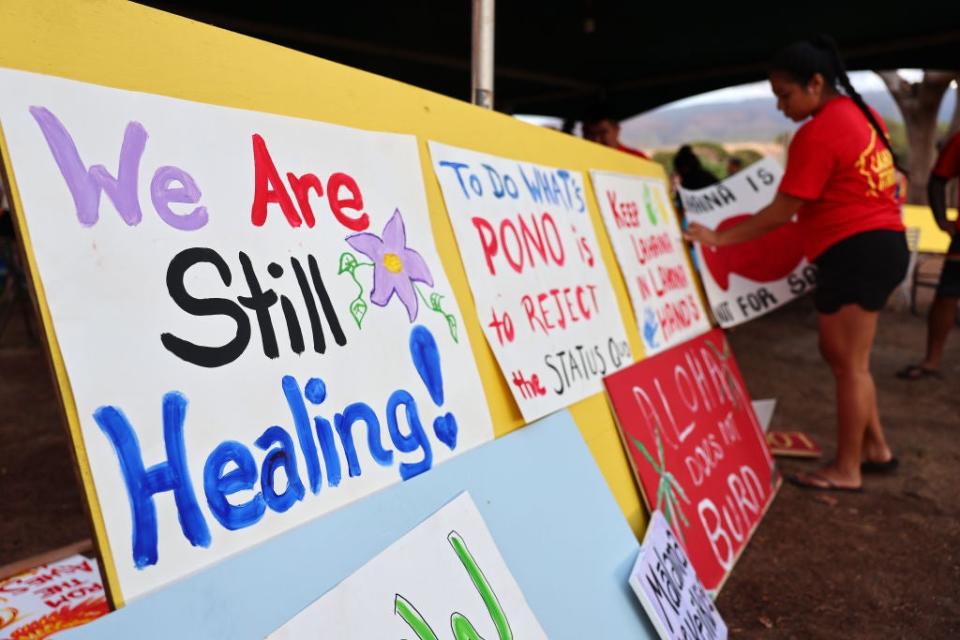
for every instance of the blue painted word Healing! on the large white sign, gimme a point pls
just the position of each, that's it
(336, 445)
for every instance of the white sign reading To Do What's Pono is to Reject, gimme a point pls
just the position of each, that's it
(538, 280)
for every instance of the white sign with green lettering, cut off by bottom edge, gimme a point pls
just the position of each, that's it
(446, 573)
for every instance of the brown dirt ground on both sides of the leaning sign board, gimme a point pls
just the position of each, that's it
(885, 563)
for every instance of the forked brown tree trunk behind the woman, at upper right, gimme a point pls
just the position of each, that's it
(919, 102)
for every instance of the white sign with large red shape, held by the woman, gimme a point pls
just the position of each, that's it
(748, 279)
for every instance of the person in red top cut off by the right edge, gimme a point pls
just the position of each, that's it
(943, 311)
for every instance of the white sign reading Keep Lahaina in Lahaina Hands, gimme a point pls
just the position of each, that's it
(652, 257)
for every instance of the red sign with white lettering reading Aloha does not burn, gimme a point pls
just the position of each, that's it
(696, 448)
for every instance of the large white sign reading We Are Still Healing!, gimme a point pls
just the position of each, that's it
(254, 321)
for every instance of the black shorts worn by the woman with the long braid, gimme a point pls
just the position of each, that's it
(863, 269)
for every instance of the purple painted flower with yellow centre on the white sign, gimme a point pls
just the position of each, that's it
(395, 267)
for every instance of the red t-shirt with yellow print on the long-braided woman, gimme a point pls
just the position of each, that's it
(845, 174)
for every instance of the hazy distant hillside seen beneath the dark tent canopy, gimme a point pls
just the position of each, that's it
(756, 119)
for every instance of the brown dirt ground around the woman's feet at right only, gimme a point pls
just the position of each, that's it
(882, 564)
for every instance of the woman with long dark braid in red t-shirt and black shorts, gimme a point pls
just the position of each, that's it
(840, 181)
